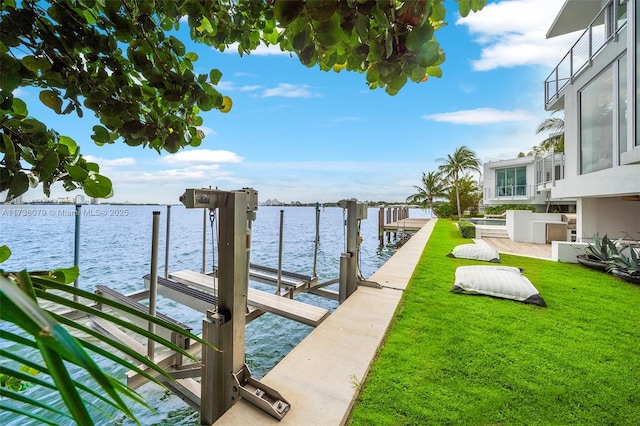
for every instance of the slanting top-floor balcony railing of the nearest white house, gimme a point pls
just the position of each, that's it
(604, 28)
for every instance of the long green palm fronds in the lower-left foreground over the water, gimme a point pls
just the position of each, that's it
(47, 332)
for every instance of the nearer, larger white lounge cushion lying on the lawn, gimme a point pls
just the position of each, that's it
(498, 281)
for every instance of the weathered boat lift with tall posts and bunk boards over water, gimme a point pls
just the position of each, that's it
(228, 303)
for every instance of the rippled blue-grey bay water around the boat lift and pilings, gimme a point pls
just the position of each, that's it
(115, 250)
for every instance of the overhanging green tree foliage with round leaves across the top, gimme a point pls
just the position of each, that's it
(122, 61)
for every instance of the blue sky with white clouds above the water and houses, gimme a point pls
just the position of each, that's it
(300, 134)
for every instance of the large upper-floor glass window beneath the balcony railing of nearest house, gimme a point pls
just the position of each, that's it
(596, 124)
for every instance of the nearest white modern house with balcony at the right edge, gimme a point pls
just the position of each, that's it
(596, 84)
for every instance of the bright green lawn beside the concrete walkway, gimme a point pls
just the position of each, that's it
(451, 359)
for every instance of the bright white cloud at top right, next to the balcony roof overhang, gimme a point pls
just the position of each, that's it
(512, 33)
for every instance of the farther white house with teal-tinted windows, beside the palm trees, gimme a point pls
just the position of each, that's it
(525, 181)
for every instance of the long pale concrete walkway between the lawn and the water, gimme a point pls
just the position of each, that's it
(321, 376)
